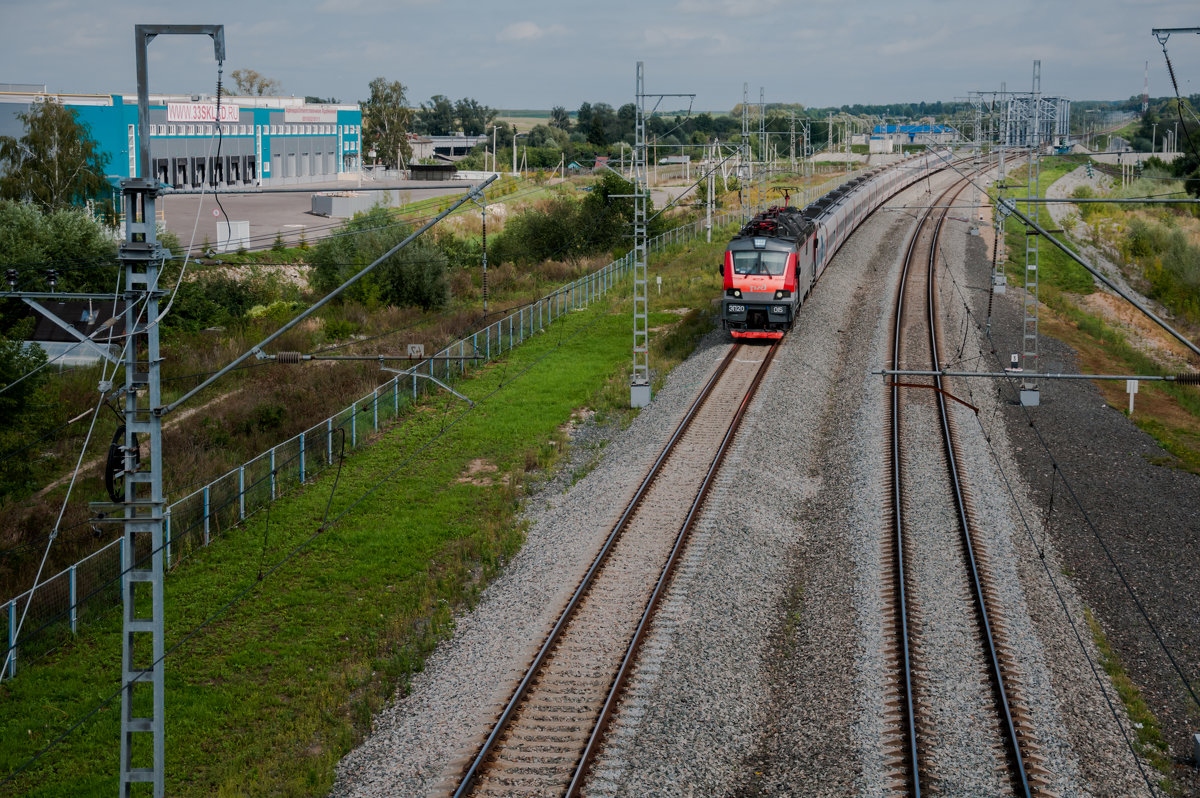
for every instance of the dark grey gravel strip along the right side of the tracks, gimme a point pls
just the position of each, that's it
(1142, 512)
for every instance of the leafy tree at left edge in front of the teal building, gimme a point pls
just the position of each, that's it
(56, 164)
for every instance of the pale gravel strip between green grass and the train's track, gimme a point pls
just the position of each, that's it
(449, 710)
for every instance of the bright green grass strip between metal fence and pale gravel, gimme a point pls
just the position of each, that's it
(267, 698)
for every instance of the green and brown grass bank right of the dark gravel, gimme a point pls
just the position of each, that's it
(1167, 411)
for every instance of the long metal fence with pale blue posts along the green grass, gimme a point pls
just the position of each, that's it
(92, 587)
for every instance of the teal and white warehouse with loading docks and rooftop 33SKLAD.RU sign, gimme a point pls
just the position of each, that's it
(265, 141)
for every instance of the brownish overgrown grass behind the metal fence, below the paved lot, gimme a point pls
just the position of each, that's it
(262, 404)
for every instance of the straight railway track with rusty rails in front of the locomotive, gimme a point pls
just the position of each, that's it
(545, 739)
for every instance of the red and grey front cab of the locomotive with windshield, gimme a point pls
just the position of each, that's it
(760, 289)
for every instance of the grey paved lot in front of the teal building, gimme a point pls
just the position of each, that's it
(272, 213)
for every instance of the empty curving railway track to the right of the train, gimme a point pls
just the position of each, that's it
(935, 523)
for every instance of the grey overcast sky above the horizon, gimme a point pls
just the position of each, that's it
(543, 53)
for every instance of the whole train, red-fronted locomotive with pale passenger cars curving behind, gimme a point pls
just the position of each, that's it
(773, 263)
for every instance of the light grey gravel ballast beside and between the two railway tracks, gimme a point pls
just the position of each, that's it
(763, 673)
